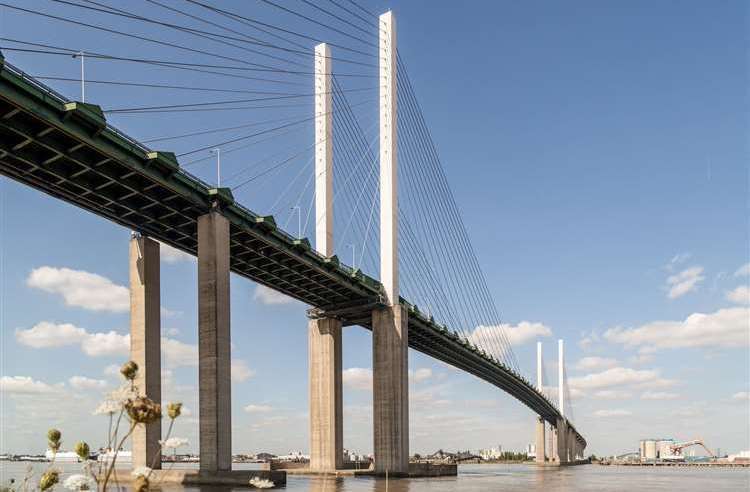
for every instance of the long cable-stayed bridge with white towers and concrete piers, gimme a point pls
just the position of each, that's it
(421, 288)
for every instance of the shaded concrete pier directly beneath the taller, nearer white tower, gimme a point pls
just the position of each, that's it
(390, 381)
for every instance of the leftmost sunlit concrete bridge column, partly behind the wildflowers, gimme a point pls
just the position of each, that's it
(145, 341)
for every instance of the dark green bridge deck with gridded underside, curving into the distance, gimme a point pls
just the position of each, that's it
(67, 150)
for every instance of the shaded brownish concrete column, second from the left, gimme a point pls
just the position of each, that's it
(214, 366)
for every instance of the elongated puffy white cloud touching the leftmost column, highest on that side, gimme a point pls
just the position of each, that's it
(81, 289)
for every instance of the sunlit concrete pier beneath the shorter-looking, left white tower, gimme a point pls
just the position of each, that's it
(326, 396)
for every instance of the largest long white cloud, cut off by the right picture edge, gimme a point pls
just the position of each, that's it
(725, 328)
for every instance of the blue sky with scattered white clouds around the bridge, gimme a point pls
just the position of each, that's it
(597, 150)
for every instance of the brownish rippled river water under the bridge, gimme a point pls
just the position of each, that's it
(506, 478)
